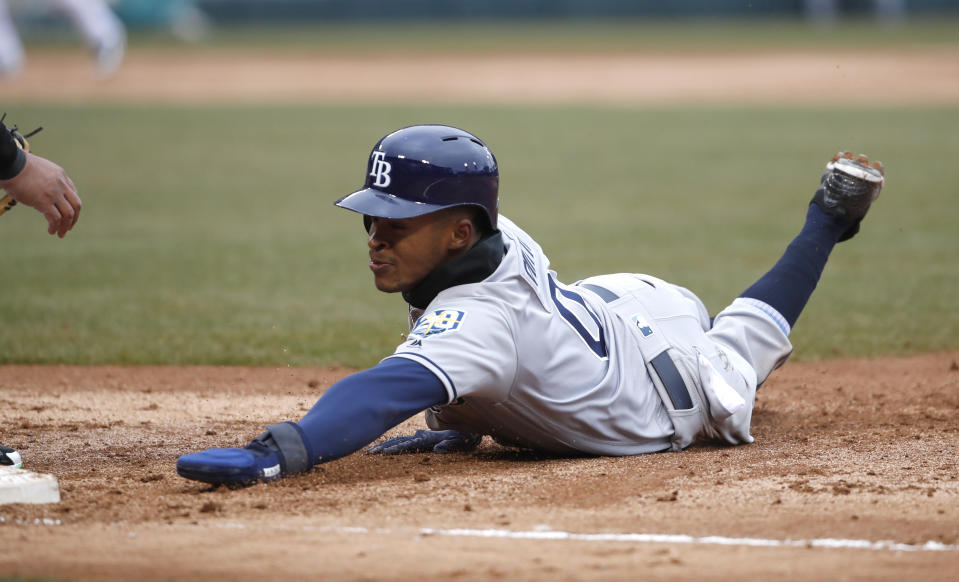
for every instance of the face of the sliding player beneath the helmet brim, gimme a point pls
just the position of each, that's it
(403, 251)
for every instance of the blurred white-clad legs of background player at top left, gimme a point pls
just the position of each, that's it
(100, 28)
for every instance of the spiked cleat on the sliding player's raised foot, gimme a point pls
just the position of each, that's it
(848, 188)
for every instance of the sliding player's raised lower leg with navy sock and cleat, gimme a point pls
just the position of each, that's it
(758, 323)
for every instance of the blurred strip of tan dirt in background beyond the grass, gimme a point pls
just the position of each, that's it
(895, 77)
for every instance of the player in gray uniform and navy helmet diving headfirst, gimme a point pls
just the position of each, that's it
(616, 364)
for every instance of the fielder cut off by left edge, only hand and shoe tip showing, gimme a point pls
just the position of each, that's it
(41, 184)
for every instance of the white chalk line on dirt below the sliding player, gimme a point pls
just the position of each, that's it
(553, 535)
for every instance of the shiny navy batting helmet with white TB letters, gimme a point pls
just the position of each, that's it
(424, 168)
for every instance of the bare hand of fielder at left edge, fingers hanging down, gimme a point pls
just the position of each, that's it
(45, 186)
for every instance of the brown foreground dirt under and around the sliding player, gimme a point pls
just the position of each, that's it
(845, 450)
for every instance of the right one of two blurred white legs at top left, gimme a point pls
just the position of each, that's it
(102, 31)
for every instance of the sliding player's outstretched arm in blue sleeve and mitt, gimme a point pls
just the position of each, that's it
(353, 413)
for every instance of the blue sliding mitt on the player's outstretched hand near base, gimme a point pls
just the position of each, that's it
(257, 462)
